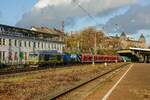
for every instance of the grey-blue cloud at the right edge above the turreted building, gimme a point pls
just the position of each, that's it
(135, 19)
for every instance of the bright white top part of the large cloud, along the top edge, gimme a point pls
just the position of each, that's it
(102, 4)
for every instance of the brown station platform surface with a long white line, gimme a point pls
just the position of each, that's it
(131, 84)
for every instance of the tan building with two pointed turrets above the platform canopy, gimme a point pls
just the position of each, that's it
(123, 42)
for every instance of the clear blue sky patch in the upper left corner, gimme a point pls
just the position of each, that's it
(12, 10)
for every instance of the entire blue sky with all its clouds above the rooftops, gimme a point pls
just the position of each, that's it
(111, 16)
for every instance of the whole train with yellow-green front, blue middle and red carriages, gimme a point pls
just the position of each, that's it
(53, 57)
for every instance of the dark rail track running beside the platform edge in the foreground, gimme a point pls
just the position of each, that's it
(68, 90)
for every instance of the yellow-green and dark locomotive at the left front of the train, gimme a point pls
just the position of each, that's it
(45, 57)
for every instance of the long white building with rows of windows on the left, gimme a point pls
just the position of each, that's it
(17, 43)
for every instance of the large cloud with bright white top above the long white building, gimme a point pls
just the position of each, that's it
(52, 12)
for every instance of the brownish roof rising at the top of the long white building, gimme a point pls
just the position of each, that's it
(47, 30)
